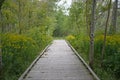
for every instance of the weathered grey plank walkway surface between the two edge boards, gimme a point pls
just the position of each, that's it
(59, 62)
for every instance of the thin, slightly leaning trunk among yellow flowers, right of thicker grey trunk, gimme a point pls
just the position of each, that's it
(105, 33)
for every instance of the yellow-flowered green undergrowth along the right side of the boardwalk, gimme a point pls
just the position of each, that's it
(112, 55)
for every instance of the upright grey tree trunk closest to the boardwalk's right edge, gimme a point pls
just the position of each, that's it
(92, 26)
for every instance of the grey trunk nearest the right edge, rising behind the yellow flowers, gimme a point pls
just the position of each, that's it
(114, 18)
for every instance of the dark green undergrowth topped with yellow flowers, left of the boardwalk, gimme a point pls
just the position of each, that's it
(18, 52)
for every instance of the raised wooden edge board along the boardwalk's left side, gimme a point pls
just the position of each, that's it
(33, 63)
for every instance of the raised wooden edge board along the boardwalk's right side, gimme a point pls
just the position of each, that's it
(86, 65)
